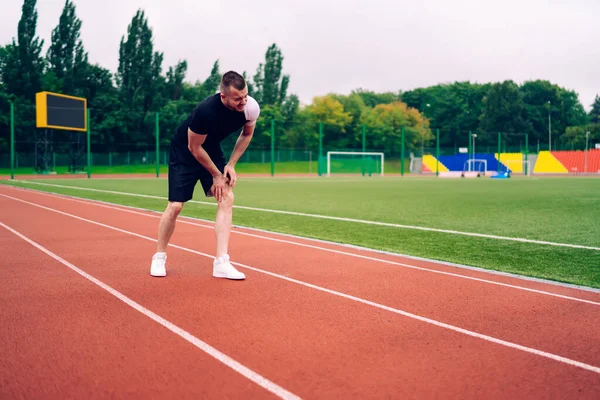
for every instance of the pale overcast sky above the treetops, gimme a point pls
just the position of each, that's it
(337, 46)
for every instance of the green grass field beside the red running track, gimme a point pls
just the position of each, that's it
(560, 210)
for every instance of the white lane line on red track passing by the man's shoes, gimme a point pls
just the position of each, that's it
(491, 339)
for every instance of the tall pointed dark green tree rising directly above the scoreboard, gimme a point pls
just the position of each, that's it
(66, 56)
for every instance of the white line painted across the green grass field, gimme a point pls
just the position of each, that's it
(422, 228)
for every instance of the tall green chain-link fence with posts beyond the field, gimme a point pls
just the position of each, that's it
(138, 142)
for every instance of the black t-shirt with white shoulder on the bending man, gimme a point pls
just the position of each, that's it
(212, 118)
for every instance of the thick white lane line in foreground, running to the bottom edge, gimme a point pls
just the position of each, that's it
(228, 361)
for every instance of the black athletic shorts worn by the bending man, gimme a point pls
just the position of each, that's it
(185, 172)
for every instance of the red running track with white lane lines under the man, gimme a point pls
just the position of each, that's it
(311, 320)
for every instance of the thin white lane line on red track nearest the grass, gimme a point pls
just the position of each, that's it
(90, 202)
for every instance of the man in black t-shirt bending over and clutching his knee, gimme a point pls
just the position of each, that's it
(196, 155)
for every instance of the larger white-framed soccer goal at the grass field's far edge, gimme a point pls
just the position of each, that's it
(355, 162)
